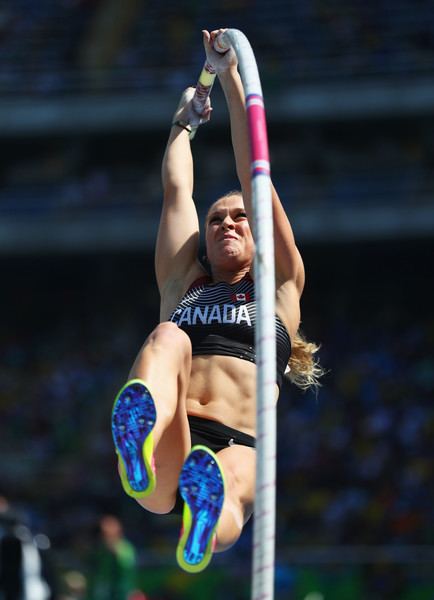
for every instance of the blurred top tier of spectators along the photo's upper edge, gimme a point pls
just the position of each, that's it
(79, 45)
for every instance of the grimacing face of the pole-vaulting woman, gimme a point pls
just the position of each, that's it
(229, 240)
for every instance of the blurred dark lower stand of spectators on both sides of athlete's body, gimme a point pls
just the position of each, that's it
(354, 462)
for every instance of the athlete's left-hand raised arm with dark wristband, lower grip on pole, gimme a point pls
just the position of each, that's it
(178, 234)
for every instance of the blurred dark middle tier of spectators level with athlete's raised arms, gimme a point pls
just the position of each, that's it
(340, 165)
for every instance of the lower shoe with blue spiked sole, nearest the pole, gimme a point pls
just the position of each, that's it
(202, 488)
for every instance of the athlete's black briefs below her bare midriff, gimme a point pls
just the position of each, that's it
(215, 436)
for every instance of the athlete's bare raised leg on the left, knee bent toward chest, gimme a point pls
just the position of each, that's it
(164, 364)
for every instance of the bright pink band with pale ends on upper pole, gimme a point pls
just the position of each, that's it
(258, 135)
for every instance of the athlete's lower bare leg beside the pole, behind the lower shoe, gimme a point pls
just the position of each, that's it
(239, 468)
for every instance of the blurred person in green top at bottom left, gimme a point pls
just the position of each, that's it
(113, 567)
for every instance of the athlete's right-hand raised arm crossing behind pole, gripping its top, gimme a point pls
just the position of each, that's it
(288, 262)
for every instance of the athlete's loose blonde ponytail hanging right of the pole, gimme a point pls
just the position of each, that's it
(305, 370)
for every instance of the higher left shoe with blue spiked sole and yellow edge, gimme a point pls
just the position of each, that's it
(133, 418)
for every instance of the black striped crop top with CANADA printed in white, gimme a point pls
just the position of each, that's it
(219, 318)
